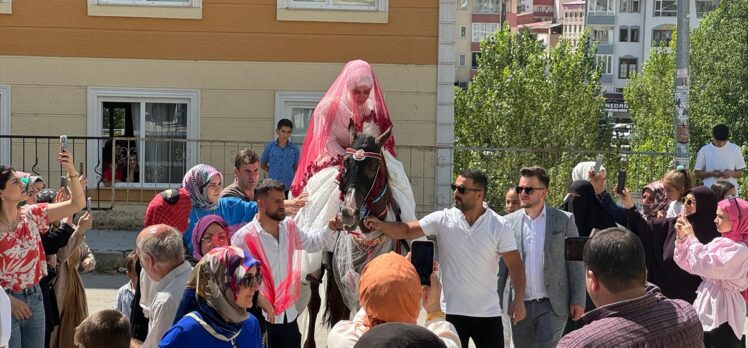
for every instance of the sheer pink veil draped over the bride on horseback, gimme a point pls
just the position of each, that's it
(327, 133)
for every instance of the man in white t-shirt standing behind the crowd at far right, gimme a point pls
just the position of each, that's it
(720, 160)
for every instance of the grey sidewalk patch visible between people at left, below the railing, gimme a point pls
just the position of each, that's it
(110, 247)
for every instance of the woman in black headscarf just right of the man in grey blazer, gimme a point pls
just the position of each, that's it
(589, 214)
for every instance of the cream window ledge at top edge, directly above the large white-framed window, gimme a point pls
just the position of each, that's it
(191, 9)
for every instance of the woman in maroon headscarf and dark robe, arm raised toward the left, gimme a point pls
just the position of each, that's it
(658, 237)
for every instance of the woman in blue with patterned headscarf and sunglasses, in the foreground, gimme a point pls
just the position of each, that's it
(226, 280)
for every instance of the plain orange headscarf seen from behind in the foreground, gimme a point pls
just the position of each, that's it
(390, 290)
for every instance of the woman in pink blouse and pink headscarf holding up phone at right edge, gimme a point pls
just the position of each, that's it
(723, 264)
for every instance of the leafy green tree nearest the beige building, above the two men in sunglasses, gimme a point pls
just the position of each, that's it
(525, 97)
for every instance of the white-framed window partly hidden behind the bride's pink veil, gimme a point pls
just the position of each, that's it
(297, 107)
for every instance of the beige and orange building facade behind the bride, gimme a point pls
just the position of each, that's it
(215, 76)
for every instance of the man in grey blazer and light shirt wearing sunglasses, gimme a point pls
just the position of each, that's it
(555, 288)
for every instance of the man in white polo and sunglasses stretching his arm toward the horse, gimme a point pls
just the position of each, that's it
(471, 238)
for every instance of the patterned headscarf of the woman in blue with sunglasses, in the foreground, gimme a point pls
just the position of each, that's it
(219, 275)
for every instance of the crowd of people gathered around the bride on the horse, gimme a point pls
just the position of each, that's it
(219, 266)
